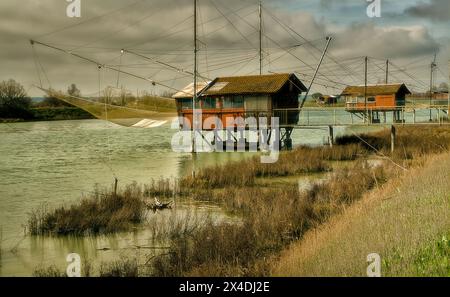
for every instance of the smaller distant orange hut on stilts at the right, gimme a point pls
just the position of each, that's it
(375, 99)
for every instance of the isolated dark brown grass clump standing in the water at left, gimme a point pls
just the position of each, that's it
(102, 212)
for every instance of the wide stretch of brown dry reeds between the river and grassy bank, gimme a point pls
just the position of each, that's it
(275, 217)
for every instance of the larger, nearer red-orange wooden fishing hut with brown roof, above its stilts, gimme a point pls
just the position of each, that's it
(244, 96)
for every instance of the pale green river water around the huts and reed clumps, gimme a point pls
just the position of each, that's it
(59, 162)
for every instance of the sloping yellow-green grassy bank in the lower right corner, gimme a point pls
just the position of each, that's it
(406, 223)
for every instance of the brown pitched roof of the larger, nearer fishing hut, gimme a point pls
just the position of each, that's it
(253, 84)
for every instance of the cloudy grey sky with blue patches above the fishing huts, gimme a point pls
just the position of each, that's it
(408, 33)
